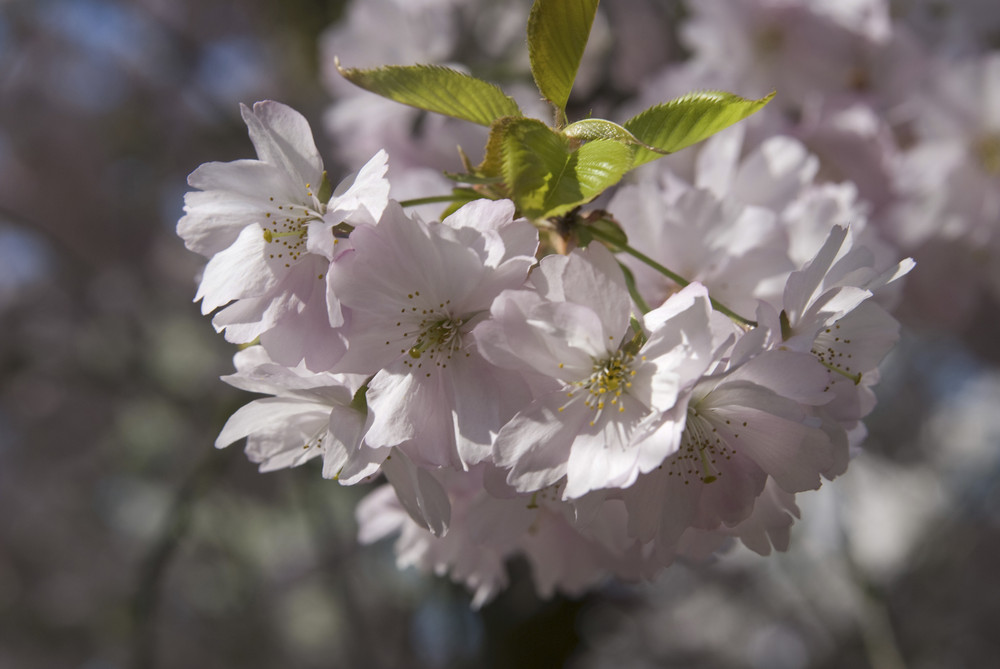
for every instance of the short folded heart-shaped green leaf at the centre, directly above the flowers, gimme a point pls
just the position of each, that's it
(546, 177)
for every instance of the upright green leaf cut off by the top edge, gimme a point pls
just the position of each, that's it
(557, 35)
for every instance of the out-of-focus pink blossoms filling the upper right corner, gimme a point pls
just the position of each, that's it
(902, 99)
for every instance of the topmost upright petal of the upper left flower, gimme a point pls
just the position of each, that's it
(283, 138)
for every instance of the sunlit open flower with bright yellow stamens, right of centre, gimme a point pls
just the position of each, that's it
(605, 392)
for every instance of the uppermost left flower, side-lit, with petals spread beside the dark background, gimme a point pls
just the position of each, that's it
(270, 237)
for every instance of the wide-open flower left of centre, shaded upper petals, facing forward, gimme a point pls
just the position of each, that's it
(415, 291)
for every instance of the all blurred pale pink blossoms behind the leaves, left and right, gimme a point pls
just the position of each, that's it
(898, 97)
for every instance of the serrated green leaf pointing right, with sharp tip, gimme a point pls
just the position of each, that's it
(687, 120)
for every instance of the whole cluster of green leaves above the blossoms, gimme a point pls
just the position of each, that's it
(550, 170)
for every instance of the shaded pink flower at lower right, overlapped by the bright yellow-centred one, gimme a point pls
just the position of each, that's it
(739, 427)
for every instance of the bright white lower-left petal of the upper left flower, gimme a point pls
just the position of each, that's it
(237, 272)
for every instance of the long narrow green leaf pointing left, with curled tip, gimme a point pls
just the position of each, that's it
(437, 89)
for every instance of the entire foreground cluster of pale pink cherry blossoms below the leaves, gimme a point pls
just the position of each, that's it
(581, 408)
